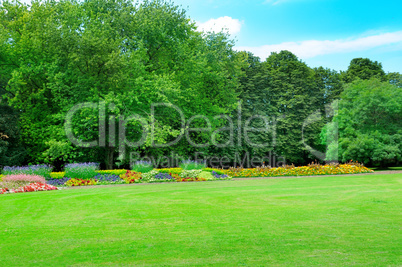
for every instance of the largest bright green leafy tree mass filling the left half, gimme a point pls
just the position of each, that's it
(113, 53)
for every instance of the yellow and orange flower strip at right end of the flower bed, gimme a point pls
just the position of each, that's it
(312, 169)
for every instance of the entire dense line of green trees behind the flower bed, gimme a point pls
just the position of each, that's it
(124, 57)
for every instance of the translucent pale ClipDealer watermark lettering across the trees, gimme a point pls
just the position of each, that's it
(238, 133)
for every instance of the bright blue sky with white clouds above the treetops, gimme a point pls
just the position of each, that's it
(327, 33)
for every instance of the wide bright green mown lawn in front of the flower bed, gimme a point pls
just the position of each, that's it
(342, 220)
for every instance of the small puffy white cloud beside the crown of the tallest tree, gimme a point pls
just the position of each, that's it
(225, 24)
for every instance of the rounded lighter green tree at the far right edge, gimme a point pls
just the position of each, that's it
(369, 121)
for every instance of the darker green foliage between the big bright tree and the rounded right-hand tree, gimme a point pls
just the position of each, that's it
(280, 94)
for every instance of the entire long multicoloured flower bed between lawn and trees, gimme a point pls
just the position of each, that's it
(87, 174)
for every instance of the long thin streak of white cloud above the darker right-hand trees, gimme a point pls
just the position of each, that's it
(313, 48)
